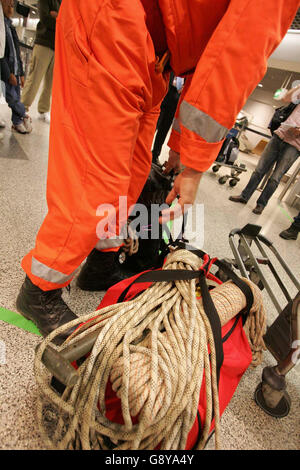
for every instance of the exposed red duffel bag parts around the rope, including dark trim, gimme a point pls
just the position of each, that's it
(237, 354)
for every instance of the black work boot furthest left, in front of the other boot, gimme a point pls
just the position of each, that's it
(46, 309)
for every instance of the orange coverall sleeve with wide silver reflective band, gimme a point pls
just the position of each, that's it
(233, 63)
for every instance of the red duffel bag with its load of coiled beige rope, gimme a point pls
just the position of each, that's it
(93, 413)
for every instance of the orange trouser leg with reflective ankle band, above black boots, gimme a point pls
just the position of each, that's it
(101, 132)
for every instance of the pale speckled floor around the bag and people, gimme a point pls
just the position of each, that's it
(23, 167)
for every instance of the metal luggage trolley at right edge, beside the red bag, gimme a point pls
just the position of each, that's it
(282, 338)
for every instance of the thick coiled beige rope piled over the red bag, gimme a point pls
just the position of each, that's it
(154, 351)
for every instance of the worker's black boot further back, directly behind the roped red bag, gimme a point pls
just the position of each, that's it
(100, 272)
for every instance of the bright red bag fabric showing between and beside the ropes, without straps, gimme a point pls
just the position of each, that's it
(237, 358)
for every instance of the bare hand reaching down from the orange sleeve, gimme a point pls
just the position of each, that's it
(185, 188)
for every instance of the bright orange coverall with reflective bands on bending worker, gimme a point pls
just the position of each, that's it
(106, 98)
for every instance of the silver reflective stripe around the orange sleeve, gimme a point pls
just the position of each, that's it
(201, 123)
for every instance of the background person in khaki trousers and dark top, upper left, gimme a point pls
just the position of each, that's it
(42, 61)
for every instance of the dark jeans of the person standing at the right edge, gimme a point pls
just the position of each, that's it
(276, 152)
